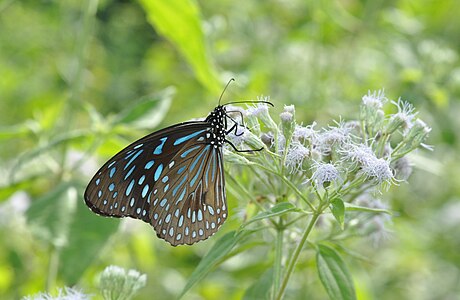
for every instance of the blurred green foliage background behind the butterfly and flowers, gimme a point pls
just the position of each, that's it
(81, 79)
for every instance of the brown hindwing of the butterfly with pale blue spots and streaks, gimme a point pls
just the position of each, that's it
(192, 206)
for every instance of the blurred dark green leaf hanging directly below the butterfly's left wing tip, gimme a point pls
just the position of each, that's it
(87, 236)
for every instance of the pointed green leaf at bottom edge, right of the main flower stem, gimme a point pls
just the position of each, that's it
(334, 274)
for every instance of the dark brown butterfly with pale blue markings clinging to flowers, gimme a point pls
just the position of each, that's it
(172, 179)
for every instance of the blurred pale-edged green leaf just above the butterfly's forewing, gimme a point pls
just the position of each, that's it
(148, 112)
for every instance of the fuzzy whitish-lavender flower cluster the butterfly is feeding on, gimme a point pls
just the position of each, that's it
(352, 156)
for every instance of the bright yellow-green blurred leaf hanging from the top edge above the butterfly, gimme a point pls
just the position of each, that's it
(180, 22)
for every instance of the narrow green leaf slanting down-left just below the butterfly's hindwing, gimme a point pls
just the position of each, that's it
(220, 249)
